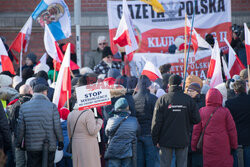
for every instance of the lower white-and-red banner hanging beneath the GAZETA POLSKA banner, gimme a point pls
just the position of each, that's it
(197, 65)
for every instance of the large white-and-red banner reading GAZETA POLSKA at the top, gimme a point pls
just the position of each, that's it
(157, 31)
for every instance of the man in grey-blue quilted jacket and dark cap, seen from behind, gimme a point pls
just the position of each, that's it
(39, 122)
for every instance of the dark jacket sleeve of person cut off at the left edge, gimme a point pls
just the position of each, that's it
(5, 139)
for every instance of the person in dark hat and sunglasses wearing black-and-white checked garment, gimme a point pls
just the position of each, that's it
(106, 63)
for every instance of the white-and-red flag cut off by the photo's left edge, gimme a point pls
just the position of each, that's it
(6, 63)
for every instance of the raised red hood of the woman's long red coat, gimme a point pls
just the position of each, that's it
(214, 98)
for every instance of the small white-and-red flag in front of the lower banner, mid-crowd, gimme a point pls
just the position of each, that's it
(151, 71)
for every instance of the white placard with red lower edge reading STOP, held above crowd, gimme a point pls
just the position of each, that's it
(92, 96)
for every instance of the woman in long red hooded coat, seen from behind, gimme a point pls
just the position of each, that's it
(220, 136)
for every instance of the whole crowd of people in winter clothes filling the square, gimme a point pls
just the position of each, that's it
(149, 123)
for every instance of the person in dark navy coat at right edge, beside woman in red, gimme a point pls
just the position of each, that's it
(239, 107)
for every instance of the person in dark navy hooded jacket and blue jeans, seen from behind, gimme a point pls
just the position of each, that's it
(144, 105)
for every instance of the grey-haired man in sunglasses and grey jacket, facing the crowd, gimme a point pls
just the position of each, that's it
(91, 59)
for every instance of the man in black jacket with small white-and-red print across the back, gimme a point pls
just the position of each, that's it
(173, 117)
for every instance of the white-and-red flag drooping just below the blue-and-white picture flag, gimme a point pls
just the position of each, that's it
(53, 49)
